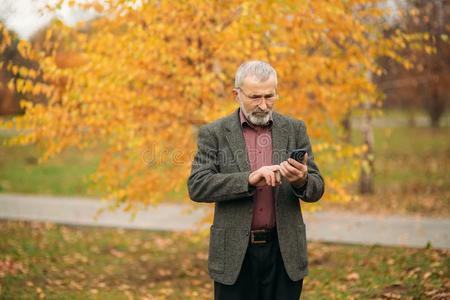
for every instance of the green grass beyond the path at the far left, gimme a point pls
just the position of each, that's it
(65, 174)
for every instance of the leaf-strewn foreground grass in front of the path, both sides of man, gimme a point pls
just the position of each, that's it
(64, 262)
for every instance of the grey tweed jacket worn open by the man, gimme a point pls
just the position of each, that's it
(219, 175)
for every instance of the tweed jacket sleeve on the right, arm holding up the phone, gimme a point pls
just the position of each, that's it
(314, 188)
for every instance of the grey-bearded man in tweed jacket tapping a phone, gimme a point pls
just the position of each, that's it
(257, 246)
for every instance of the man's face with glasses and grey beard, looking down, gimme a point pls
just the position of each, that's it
(256, 99)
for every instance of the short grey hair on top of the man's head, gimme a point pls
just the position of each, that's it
(255, 68)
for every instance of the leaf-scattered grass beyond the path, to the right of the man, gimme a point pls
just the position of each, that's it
(411, 173)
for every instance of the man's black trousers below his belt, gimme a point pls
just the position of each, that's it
(262, 277)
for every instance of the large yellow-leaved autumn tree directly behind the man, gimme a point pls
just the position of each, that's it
(148, 73)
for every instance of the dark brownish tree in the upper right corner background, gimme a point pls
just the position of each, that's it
(425, 83)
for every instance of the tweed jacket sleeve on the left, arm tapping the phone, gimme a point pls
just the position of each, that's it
(206, 183)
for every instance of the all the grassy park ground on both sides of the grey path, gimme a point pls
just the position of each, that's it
(48, 261)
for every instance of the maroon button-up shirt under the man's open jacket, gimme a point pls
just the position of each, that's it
(258, 140)
